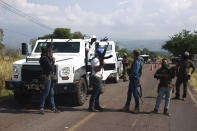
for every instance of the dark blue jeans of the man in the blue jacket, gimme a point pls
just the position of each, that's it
(133, 85)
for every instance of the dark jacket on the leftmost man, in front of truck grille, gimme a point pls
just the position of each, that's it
(47, 65)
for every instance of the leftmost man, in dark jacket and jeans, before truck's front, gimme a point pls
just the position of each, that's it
(46, 63)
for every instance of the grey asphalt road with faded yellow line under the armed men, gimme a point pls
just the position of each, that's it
(27, 118)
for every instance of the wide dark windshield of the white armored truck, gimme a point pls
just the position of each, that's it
(60, 47)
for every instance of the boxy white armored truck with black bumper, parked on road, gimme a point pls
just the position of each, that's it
(72, 68)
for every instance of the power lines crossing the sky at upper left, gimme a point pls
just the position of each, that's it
(14, 10)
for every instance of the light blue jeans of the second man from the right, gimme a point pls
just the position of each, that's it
(164, 91)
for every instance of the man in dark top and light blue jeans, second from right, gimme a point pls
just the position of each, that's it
(165, 75)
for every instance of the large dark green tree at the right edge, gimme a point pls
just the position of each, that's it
(181, 42)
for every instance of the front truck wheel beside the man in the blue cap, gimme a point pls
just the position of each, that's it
(81, 93)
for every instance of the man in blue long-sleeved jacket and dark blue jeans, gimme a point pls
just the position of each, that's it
(134, 77)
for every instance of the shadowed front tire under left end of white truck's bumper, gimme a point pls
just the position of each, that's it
(21, 96)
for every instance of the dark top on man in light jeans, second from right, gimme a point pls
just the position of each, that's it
(165, 75)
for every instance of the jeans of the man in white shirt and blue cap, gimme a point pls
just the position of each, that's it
(94, 99)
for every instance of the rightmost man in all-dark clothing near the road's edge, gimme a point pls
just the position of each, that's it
(183, 74)
